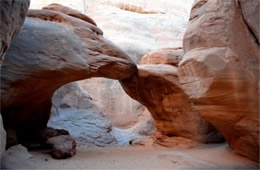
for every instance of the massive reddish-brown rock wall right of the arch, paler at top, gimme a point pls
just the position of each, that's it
(220, 71)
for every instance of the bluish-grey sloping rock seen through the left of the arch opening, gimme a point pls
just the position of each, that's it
(74, 110)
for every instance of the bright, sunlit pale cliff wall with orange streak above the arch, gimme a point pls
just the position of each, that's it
(139, 27)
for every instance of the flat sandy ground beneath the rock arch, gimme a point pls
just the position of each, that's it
(139, 157)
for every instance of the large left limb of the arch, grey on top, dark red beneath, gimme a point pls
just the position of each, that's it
(59, 49)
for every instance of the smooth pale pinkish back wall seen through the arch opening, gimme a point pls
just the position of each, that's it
(117, 106)
